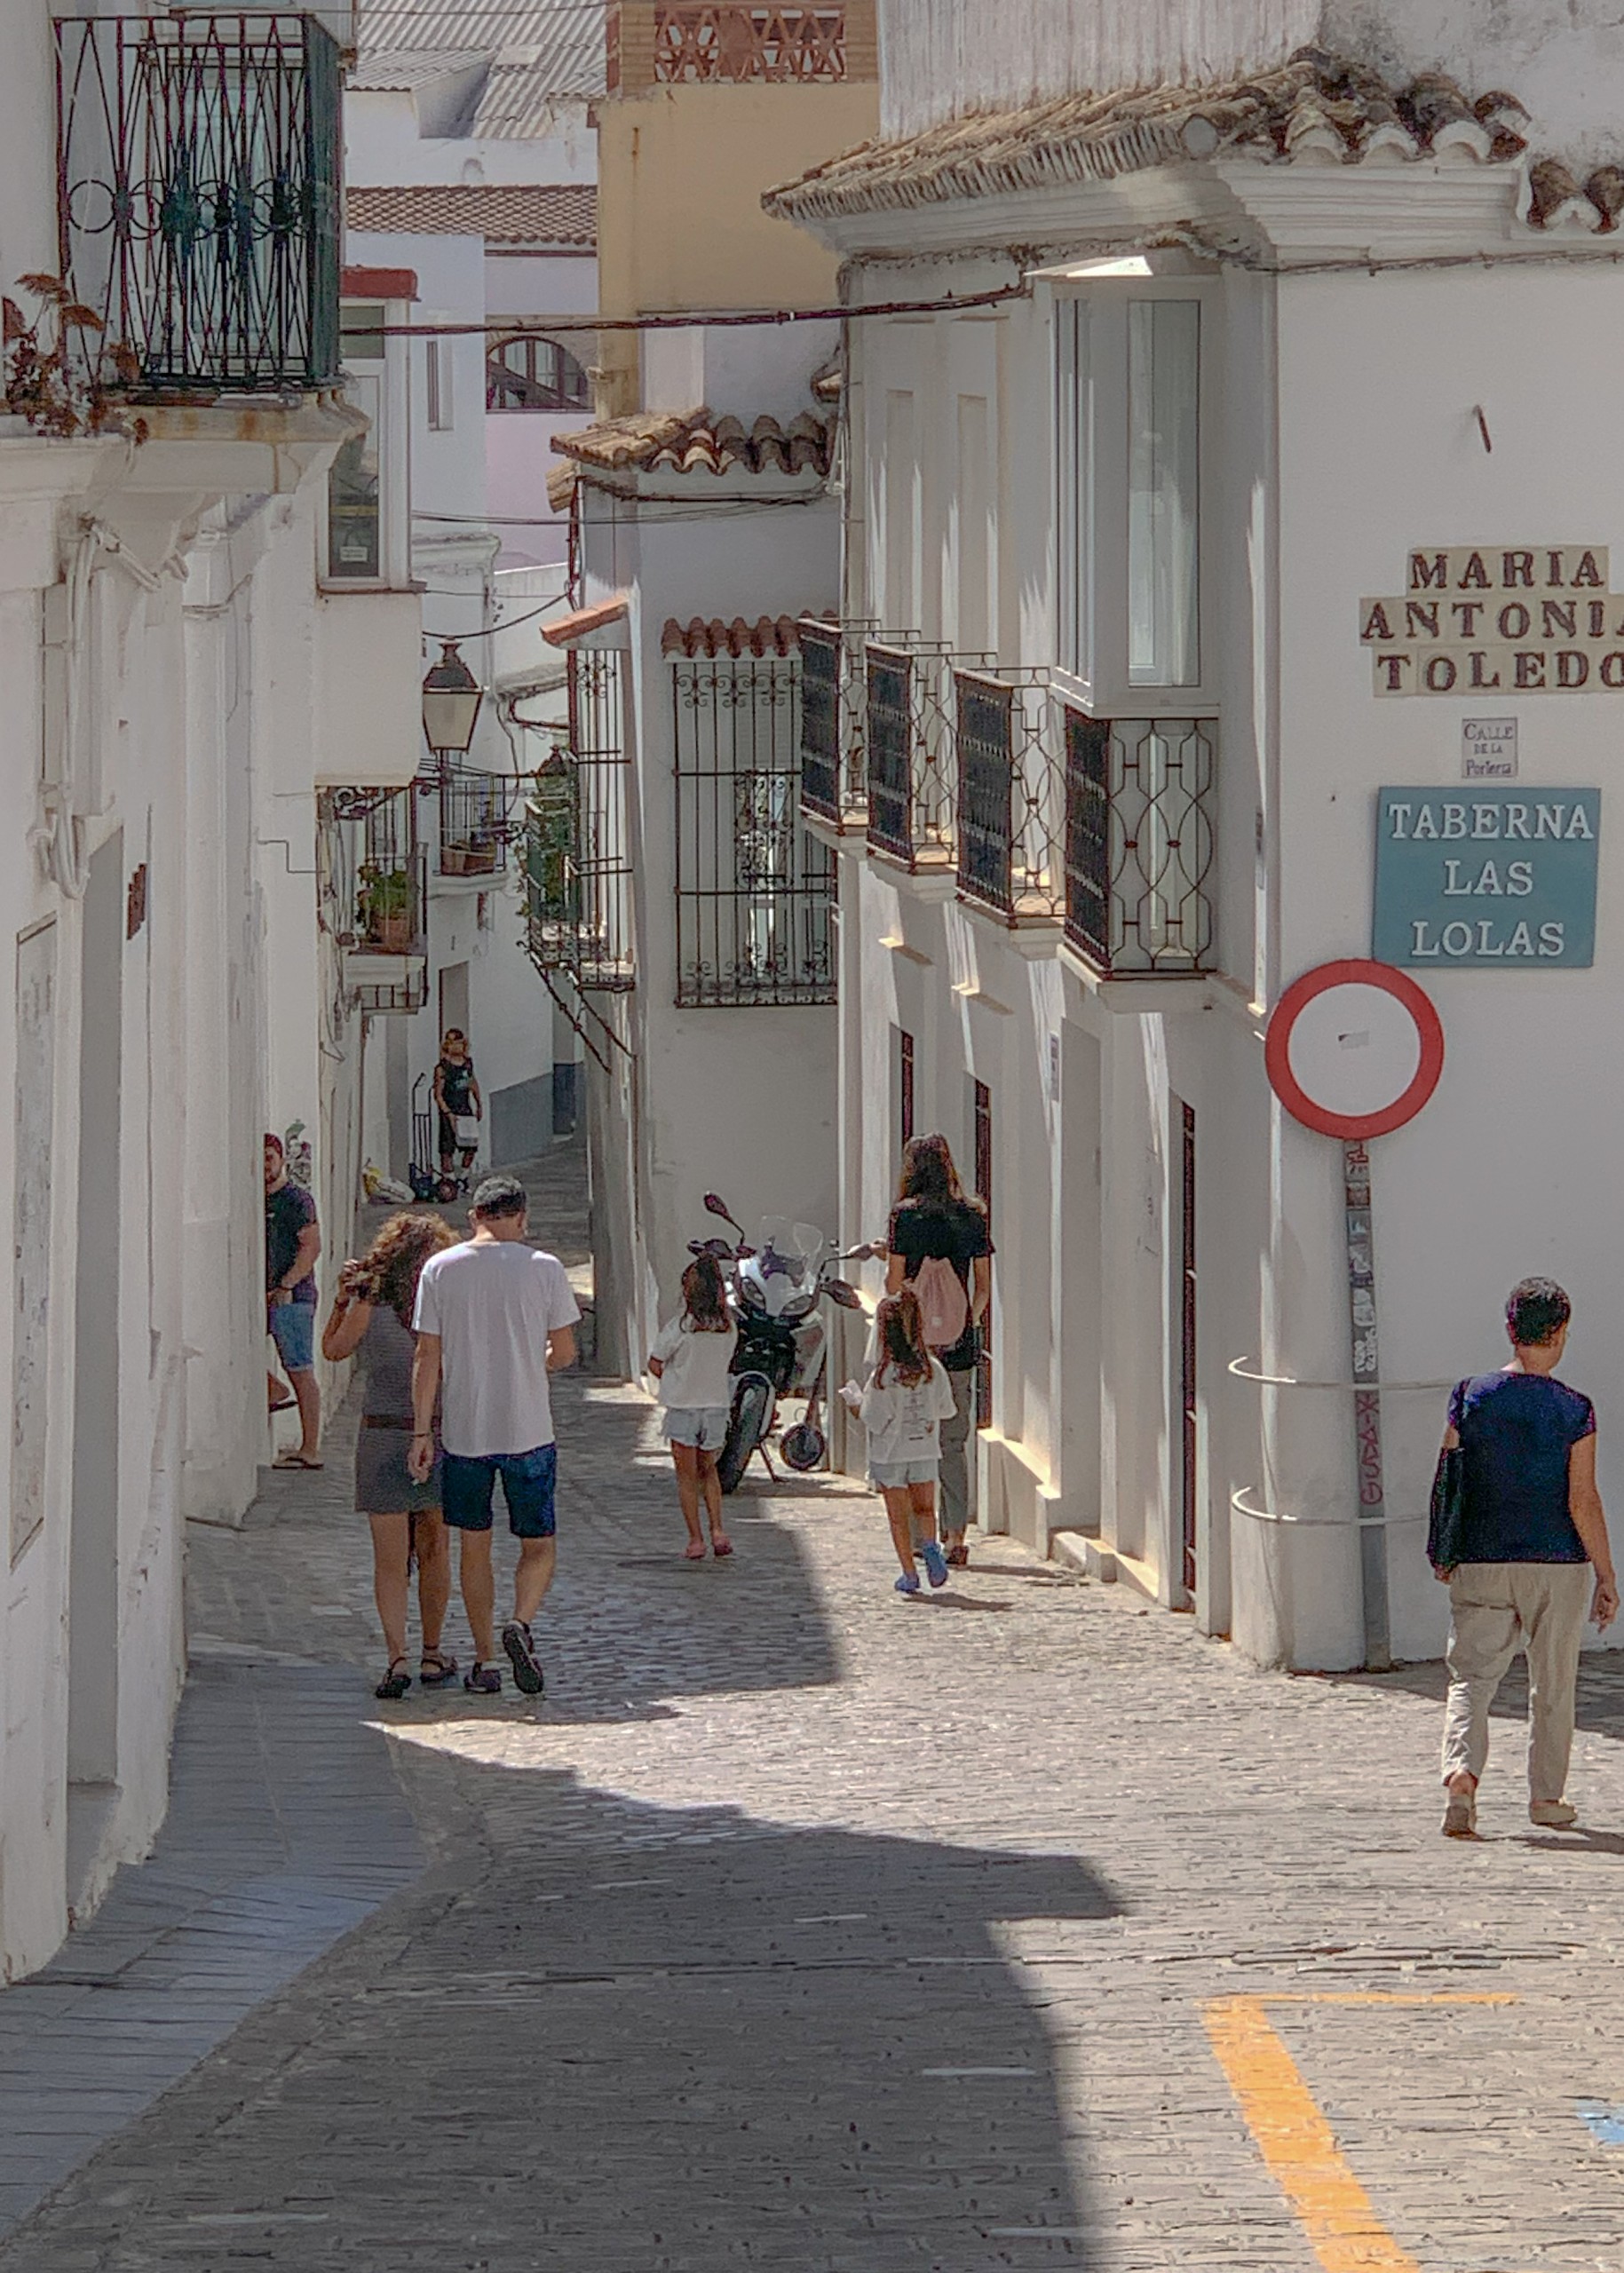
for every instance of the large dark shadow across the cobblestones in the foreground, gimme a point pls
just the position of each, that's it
(647, 2038)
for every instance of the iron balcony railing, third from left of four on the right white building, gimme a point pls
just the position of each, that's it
(1011, 794)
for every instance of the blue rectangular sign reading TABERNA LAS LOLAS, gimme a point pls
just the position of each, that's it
(1486, 879)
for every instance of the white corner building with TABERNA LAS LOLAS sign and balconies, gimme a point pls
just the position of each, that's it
(1273, 310)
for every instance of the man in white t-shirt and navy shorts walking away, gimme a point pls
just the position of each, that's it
(492, 1319)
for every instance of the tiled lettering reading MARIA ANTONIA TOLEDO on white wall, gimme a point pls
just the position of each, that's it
(1521, 619)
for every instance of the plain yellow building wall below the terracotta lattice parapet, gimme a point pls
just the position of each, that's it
(681, 226)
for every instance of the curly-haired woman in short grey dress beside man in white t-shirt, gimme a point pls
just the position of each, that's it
(372, 1324)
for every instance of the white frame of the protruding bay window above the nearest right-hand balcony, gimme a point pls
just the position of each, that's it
(1091, 490)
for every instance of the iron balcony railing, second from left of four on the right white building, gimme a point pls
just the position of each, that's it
(911, 717)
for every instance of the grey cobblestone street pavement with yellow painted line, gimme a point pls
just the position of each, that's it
(825, 1933)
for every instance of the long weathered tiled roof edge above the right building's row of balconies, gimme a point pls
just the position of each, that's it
(1316, 108)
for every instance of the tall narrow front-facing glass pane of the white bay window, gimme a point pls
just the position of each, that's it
(1163, 494)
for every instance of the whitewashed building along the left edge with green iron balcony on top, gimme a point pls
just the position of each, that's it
(179, 688)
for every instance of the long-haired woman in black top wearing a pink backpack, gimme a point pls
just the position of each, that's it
(943, 1249)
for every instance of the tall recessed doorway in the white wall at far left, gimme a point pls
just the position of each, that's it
(94, 1540)
